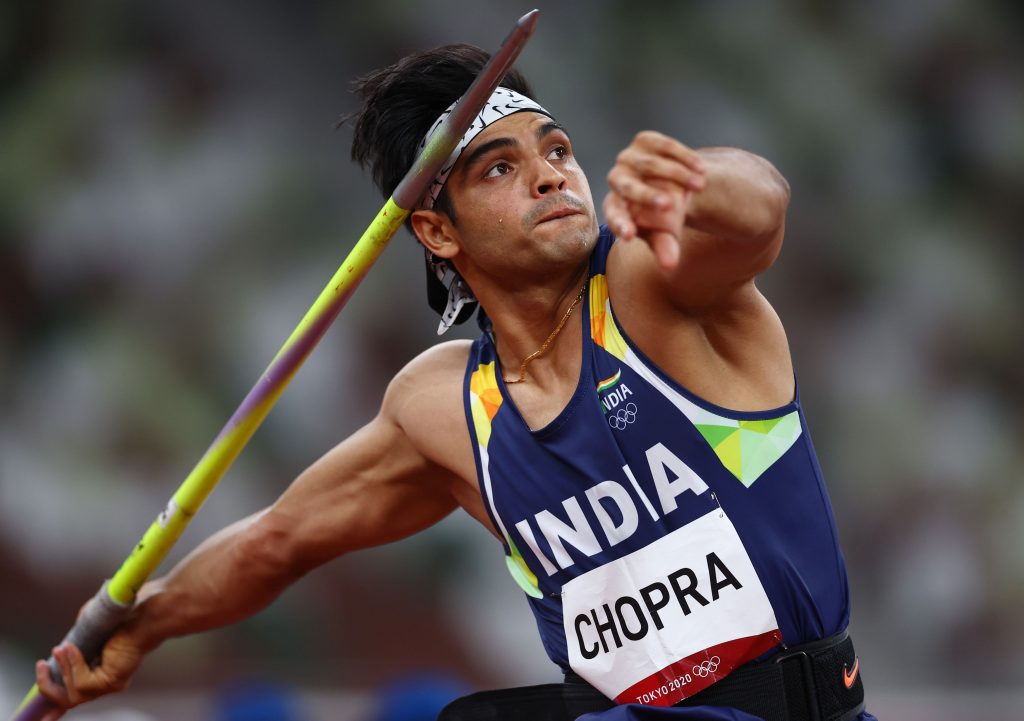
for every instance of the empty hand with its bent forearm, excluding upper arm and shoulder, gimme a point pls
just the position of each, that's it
(714, 218)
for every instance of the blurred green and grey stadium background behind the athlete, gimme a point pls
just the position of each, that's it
(174, 195)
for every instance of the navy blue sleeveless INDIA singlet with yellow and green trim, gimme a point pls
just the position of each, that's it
(663, 541)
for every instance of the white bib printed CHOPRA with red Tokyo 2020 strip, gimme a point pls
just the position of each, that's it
(670, 620)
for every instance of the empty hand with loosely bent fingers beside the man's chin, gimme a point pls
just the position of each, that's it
(651, 185)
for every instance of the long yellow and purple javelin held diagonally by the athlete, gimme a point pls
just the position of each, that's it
(113, 603)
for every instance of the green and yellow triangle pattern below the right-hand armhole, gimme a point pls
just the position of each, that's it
(748, 449)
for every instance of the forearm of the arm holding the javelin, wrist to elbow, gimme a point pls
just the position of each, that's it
(230, 577)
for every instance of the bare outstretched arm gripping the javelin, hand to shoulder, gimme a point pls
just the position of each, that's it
(372, 489)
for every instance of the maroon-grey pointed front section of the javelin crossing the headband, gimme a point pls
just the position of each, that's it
(412, 188)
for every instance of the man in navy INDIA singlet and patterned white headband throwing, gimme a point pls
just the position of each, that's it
(627, 427)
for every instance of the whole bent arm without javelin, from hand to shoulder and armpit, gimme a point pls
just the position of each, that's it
(699, 228)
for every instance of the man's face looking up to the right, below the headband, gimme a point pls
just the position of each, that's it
(523, 202)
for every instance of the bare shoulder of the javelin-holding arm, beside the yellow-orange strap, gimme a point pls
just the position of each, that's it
(425, 401)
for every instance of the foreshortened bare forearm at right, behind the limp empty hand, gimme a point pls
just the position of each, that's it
(745, 197)
